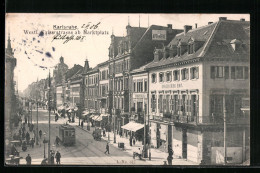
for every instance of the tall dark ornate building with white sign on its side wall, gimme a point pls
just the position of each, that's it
(131, 52)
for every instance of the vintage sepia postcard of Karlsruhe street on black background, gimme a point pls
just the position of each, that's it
(127, 89)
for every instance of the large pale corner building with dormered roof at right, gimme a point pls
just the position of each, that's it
(194, 82)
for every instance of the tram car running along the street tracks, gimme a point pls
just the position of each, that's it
(67, 135)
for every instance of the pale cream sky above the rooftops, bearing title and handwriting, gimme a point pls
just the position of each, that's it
(37, 52)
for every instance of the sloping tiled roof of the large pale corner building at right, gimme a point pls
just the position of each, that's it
(214, 41)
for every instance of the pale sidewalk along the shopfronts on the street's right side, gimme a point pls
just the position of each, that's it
(157, 156)
